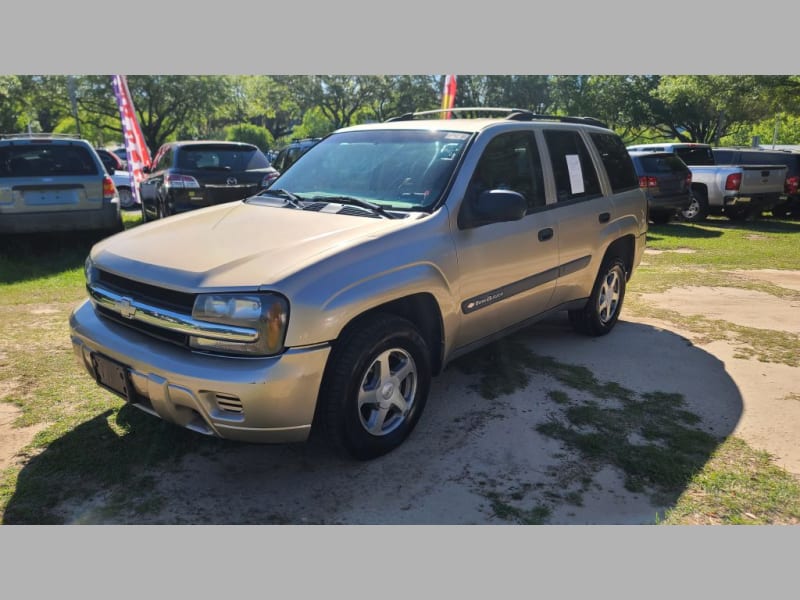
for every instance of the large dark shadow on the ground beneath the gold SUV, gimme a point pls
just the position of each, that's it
(544, 427)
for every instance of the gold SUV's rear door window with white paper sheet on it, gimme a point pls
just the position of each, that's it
(572, 166)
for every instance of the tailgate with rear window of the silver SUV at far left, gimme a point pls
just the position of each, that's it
(49, 176)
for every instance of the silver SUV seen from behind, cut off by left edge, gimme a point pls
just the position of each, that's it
(54, 183)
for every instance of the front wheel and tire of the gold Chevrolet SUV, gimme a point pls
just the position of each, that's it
(375, 386)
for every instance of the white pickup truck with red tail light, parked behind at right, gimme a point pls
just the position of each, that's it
(736, 191)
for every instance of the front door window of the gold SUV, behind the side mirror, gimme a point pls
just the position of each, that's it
(511, 162)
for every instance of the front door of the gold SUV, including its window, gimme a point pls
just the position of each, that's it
(508, 271)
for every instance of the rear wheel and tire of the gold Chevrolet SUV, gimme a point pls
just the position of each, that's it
(602, 309)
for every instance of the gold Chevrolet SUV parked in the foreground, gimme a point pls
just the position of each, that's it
(332, 298)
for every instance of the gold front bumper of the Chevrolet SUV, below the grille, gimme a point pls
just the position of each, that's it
(269, 400)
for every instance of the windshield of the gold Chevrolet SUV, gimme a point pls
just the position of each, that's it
(398, 168)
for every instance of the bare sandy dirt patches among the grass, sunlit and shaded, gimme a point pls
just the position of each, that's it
(467, 450)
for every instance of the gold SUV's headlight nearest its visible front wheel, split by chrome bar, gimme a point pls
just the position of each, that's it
(266, 313)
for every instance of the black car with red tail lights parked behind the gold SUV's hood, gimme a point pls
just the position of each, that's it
(193, 174)
